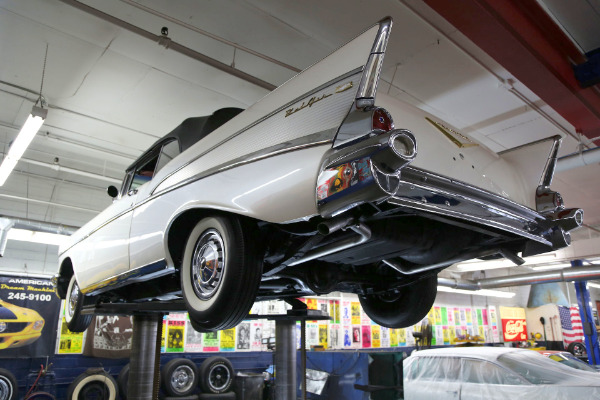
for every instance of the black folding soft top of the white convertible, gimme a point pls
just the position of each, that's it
(192, 130)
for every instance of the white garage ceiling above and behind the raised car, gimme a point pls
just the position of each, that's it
(111, 92)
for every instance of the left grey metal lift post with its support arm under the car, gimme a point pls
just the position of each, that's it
(145, 345)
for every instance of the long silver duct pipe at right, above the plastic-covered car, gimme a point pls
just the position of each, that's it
(573, 274)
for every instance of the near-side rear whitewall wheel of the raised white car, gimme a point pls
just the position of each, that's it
(220, 273)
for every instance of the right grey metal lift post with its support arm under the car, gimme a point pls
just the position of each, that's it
(285, 347)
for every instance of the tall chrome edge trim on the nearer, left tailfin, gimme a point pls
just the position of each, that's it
(365, 97)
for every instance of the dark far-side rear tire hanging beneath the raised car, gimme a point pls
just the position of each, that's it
(406, 308)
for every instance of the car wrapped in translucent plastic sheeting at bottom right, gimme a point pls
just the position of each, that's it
(493, 373)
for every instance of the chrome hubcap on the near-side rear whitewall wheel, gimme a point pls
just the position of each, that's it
(207, 264)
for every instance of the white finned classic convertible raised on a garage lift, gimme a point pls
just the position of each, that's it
(313, 189)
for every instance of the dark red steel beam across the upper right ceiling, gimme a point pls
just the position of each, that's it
(523, 38)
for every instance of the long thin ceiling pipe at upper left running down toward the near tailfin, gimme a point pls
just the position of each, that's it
(171, 45)
